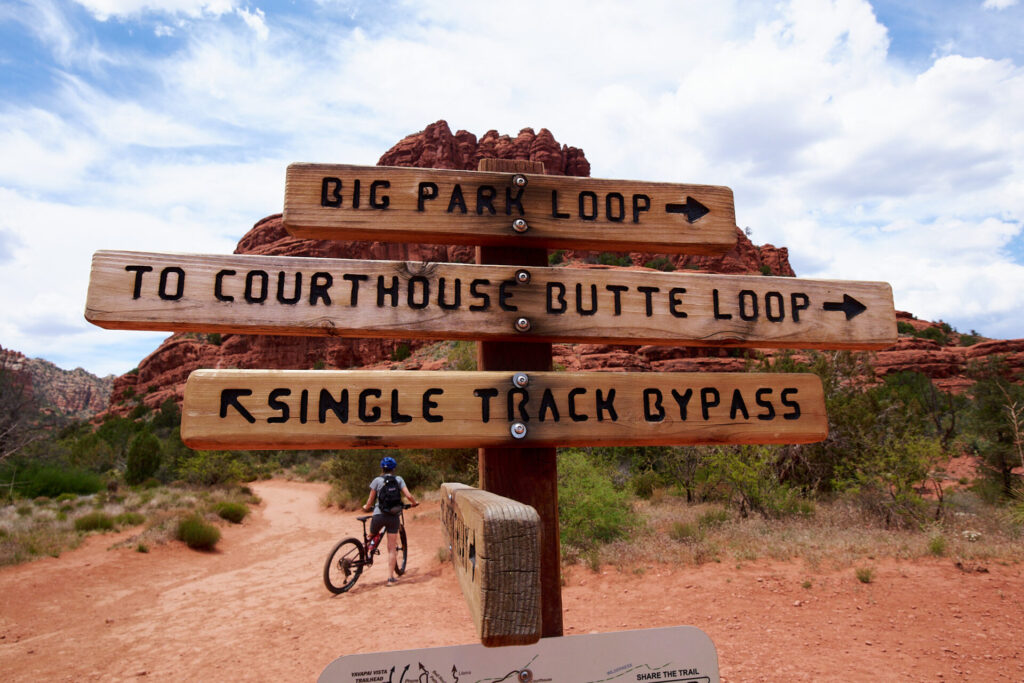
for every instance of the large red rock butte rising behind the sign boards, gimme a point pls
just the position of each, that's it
(163, 373)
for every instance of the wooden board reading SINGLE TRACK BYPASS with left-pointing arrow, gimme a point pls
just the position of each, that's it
(279, 409)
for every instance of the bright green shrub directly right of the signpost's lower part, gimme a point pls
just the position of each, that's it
(591, 510)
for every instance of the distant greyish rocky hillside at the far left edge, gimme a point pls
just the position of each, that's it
(74, 394)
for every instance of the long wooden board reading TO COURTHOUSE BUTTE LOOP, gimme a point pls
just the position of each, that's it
(352, 298)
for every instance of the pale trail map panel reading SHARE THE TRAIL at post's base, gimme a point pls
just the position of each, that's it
(674, 655)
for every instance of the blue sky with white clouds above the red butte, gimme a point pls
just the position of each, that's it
(879, 142)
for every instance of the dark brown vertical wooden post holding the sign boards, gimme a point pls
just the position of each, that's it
(527, 476)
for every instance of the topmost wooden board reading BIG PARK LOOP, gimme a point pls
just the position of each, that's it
(392, 204)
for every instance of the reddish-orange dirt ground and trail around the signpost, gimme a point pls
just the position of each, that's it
(257, 609)
